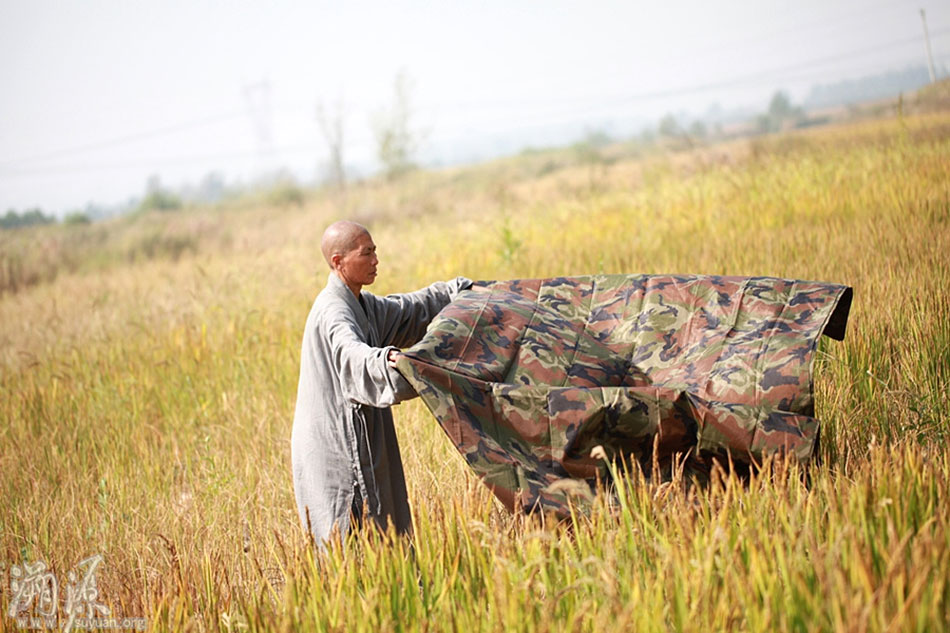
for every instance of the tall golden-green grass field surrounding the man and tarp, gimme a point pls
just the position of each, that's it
(148, 401)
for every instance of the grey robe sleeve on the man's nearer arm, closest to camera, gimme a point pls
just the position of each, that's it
(365, 374)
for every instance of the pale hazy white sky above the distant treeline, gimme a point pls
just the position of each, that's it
(99, 94)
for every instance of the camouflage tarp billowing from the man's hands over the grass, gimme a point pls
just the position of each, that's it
(526, 377)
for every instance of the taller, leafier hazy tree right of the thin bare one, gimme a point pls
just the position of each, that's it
(396, 140)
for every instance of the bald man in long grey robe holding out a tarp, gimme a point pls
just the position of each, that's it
(343, 445)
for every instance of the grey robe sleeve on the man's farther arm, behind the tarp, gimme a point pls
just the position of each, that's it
(403, 318)
